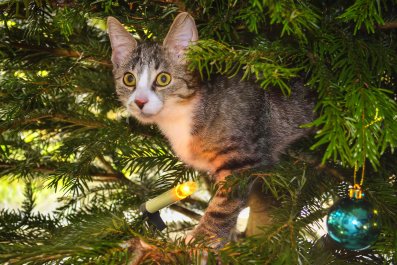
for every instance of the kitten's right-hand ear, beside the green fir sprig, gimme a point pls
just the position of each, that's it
(182, 32)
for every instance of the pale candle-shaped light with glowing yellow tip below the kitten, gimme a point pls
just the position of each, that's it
(178, 193)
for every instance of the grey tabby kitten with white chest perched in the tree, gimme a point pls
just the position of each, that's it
(222, 126)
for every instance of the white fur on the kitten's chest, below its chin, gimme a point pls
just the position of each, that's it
(175, 121)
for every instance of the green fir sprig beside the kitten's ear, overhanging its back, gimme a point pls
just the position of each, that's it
(265, 62)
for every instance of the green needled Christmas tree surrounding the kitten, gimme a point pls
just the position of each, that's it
(63, 130)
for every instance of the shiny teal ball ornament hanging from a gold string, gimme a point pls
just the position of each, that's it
(353, 223)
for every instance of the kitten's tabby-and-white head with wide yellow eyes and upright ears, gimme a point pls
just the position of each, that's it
(150, 77)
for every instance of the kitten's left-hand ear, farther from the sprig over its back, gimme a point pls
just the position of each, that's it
(121, 40)
